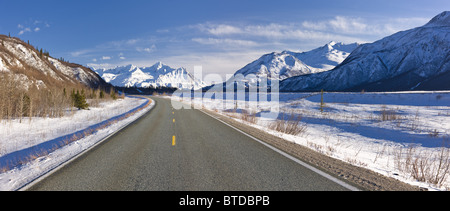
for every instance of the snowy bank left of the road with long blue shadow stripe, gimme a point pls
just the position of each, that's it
(35, 146)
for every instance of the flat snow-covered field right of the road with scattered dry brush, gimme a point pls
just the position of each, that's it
(405, 135)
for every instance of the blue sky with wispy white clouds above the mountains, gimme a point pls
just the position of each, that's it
(222, 36)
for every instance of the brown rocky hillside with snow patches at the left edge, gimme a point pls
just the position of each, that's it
(39, 69)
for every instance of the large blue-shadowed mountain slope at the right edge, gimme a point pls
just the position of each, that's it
(414, 59)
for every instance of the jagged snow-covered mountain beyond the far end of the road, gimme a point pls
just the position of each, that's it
(158, 75)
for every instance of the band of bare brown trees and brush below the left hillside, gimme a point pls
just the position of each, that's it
(17, 103)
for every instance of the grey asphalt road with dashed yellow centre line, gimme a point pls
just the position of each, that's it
(181, 150)
